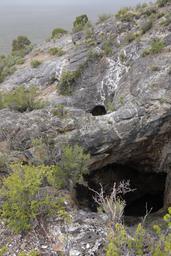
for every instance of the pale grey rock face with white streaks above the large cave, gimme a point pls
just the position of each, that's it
(129, 92)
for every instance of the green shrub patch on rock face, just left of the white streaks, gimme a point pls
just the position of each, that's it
(67, 81)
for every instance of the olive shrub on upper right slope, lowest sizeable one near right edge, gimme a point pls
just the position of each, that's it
(157, 46)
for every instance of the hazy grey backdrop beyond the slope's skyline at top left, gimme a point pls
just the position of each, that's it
(37, 18)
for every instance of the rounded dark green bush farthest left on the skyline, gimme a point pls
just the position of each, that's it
(21, 42)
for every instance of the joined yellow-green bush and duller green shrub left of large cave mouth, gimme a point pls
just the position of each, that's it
(24, 194)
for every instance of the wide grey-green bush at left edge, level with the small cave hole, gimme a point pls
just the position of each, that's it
(21, 99)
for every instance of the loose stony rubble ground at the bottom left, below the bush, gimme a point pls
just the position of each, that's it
(85, 236)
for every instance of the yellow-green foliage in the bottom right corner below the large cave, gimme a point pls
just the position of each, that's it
(142, 242)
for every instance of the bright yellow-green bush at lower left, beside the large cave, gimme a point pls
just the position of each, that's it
(23, 200)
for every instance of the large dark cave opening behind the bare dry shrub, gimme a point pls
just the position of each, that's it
(147, 196)
